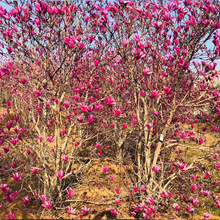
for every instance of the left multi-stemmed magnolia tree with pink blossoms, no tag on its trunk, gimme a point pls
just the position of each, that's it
(53, 78)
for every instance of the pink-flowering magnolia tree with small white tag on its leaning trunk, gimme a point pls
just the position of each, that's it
(168, 69)
